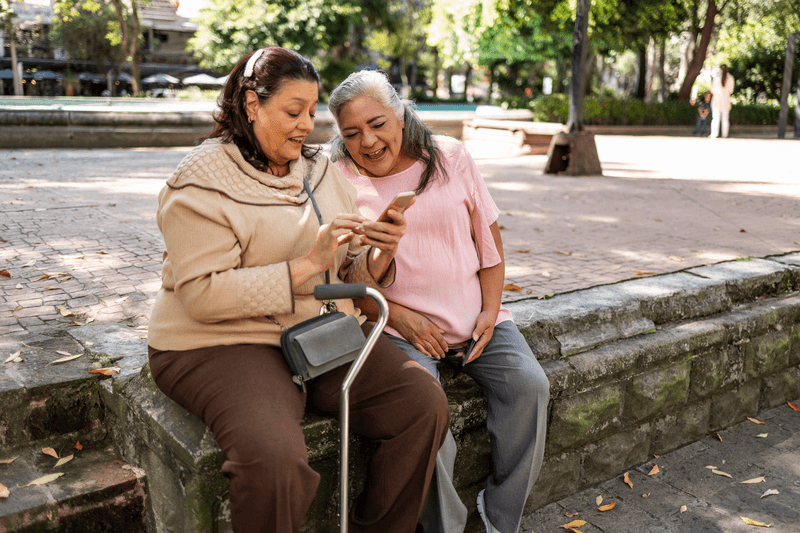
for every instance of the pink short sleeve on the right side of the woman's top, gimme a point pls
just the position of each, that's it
(483, 210)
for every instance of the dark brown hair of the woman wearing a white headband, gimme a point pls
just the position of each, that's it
(271, 70)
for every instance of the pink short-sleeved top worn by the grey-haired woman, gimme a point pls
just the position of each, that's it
(447, 239)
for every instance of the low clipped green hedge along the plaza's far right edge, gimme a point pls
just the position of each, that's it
(632, 112)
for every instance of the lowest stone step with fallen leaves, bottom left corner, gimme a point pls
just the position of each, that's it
(96, 493)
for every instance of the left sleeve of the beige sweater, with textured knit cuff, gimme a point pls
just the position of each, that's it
(204, 257)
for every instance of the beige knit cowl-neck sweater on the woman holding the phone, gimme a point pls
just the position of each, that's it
(230, 231)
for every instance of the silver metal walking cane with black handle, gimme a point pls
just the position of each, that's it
(336, 292)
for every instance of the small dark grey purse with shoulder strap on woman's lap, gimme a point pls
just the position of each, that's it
(320, 344)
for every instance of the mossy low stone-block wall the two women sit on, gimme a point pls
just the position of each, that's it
(636, 369)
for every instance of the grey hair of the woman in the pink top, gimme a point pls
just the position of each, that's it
(418, 140)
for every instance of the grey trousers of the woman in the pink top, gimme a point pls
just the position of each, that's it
(517, 393)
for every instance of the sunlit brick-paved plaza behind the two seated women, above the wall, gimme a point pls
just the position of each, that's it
(77, 227)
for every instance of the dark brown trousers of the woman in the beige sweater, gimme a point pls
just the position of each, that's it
(245, 394)
